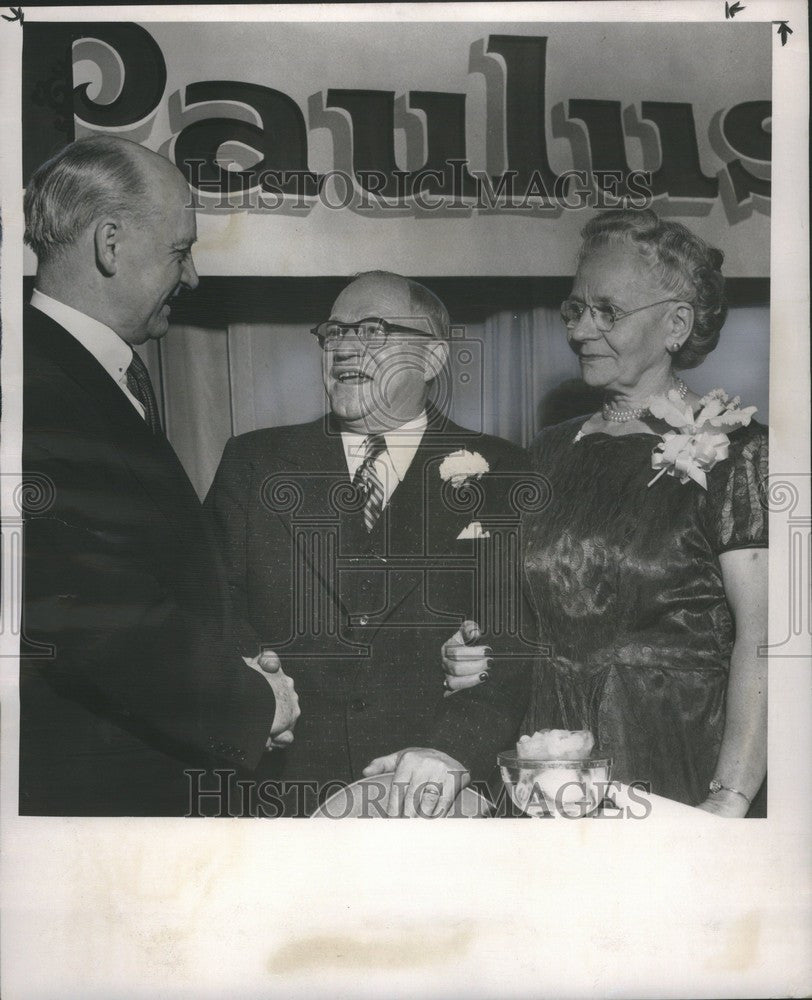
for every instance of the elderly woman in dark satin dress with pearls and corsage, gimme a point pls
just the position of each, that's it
(648, 568)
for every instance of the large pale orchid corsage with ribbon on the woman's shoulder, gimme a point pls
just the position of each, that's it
(698, 441)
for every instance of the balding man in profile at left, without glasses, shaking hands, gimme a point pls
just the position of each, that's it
(141, 678)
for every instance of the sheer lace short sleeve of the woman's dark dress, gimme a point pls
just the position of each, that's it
(737, 518)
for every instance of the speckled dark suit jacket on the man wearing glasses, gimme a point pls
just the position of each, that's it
(358, 619)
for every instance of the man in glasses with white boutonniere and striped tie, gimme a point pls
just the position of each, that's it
(357, 543)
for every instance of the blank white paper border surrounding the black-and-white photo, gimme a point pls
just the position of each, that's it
(132, 907)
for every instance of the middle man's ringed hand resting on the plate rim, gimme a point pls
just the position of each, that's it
(425, 783)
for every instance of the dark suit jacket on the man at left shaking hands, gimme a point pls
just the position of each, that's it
(121, 579)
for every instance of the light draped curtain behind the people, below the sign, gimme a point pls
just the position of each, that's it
(505, 372)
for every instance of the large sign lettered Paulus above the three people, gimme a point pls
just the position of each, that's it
(477, 130)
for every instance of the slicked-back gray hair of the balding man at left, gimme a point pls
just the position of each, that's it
(86, 180)
